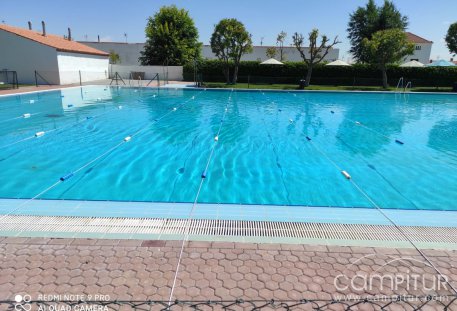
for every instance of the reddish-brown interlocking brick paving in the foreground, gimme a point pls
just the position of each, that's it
(144, 269)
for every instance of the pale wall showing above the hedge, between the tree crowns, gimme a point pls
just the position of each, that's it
(259, 54)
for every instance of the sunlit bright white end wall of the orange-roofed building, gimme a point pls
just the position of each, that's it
(92, 67)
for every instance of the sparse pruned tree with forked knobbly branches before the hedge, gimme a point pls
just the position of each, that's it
(316, 52)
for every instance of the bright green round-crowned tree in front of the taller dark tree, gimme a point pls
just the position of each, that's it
(387, 47)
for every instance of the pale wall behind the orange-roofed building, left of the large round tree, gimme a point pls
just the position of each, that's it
(128, 52)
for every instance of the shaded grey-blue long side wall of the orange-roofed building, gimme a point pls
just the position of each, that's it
(25, 56)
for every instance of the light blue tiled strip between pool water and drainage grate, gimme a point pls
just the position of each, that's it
(369, 216)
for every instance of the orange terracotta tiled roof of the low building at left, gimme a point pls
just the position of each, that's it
(57, 42)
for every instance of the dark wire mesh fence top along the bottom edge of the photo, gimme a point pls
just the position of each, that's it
(375, 303)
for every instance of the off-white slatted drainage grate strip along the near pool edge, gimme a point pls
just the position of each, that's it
(98, 226)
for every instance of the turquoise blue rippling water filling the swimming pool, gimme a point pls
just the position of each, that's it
(262, 156)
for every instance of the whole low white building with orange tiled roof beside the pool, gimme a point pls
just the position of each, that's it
(56, 60)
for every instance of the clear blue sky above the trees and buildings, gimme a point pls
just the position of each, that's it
(111, 19)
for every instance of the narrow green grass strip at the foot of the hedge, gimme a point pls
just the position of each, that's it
(318, 87)
